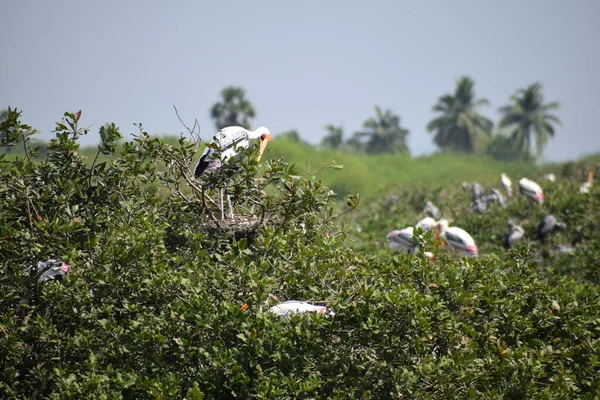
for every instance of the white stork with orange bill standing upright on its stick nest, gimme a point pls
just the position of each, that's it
(227, 142)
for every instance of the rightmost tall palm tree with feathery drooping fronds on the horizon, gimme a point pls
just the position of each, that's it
(529, 119)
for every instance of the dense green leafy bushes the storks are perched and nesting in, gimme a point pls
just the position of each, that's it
(165, 301)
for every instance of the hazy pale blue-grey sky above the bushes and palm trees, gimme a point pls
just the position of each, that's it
(304, 64)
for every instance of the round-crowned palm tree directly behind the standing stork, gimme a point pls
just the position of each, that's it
(233, 110)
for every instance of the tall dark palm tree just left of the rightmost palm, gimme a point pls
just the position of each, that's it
(460, 127)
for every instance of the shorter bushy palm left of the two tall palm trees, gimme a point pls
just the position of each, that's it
(383, 135)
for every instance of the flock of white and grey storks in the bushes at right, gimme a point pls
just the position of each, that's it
(461, 241)
